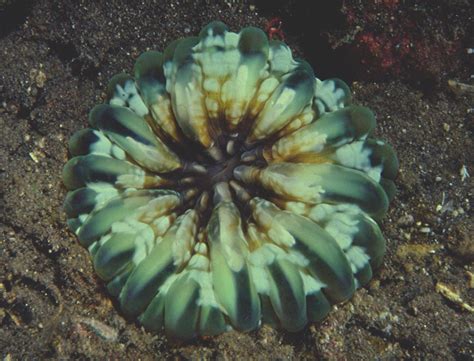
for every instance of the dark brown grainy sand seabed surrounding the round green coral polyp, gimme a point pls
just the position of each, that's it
(55, 60)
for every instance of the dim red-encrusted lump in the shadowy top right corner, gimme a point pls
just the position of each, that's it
(387, 38)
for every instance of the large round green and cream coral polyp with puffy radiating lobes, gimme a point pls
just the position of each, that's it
(224, 185)
